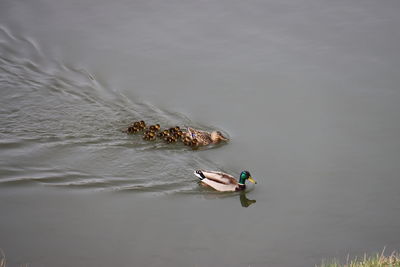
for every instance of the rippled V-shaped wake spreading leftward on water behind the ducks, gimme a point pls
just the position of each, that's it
(60, 126)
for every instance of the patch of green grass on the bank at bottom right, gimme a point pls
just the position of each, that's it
(379, 260)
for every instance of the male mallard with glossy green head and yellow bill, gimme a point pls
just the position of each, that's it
(224, 182)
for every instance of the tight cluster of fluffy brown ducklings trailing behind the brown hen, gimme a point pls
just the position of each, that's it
(152, 132)
